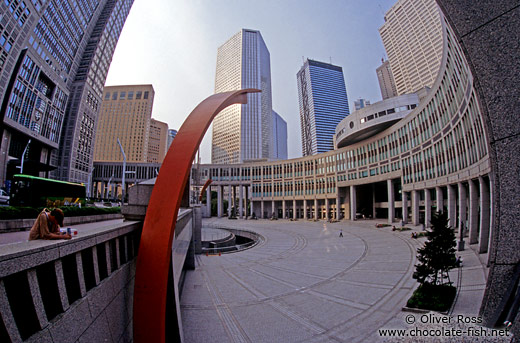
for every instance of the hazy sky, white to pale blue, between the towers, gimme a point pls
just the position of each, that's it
(173, 46)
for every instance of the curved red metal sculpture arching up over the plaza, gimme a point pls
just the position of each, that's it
(155, 249)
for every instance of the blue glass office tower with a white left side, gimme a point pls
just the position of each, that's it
(323, 104)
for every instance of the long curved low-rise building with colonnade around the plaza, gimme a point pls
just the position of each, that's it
(434, 158)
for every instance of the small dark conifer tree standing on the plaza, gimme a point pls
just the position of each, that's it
(437, 256)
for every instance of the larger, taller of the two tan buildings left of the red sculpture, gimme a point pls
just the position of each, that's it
(125, 114)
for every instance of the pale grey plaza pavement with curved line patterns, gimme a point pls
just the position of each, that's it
(304, 283)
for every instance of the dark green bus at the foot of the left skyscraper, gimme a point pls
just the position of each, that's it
(36, 191)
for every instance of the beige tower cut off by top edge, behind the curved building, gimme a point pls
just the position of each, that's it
(412, 37)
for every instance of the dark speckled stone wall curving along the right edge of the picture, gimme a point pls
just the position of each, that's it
(488, 31)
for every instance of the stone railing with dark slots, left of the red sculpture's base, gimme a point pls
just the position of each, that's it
(67, 291)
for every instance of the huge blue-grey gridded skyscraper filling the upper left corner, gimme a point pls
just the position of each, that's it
(54, 56)
